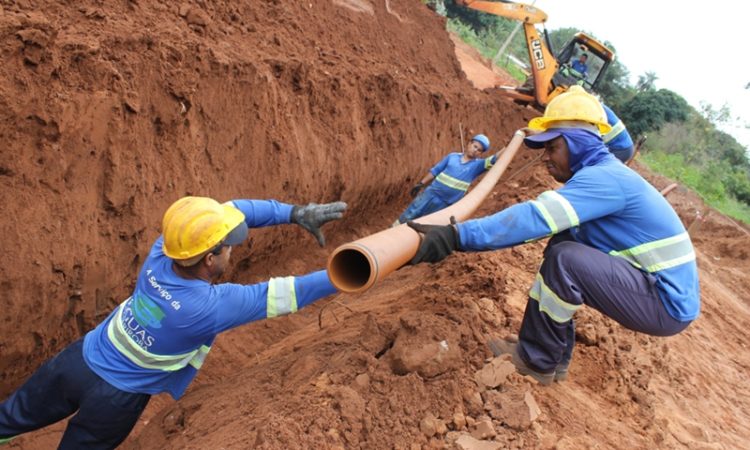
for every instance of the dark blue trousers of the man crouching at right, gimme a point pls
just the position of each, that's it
(579, 274)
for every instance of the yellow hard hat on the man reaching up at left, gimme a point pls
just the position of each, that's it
(194, 225)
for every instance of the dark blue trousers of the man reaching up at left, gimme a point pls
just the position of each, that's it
(64, 385)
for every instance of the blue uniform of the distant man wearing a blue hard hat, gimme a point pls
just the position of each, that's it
(452, 179)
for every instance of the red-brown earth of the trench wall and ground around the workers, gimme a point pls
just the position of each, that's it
(112, 112)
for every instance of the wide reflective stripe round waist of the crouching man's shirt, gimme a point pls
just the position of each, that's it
(659, 255)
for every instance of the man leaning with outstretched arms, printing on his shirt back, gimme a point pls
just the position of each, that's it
(158, 338)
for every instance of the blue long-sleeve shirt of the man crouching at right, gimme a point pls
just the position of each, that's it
(609, 207)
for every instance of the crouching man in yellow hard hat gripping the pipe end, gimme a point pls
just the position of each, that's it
(617, 245)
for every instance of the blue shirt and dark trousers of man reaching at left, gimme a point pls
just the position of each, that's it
(155, 341)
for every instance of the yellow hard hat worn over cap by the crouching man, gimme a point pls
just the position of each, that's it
(573, 105)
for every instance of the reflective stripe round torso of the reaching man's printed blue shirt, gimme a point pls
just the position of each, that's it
(137, 355)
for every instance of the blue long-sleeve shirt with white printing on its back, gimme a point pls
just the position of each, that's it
(169, 315)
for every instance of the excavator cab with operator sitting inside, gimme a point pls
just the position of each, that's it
(582, 61)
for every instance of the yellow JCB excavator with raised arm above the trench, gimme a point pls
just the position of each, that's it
(583, 60)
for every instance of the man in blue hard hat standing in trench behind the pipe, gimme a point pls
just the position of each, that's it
(453, 175)
